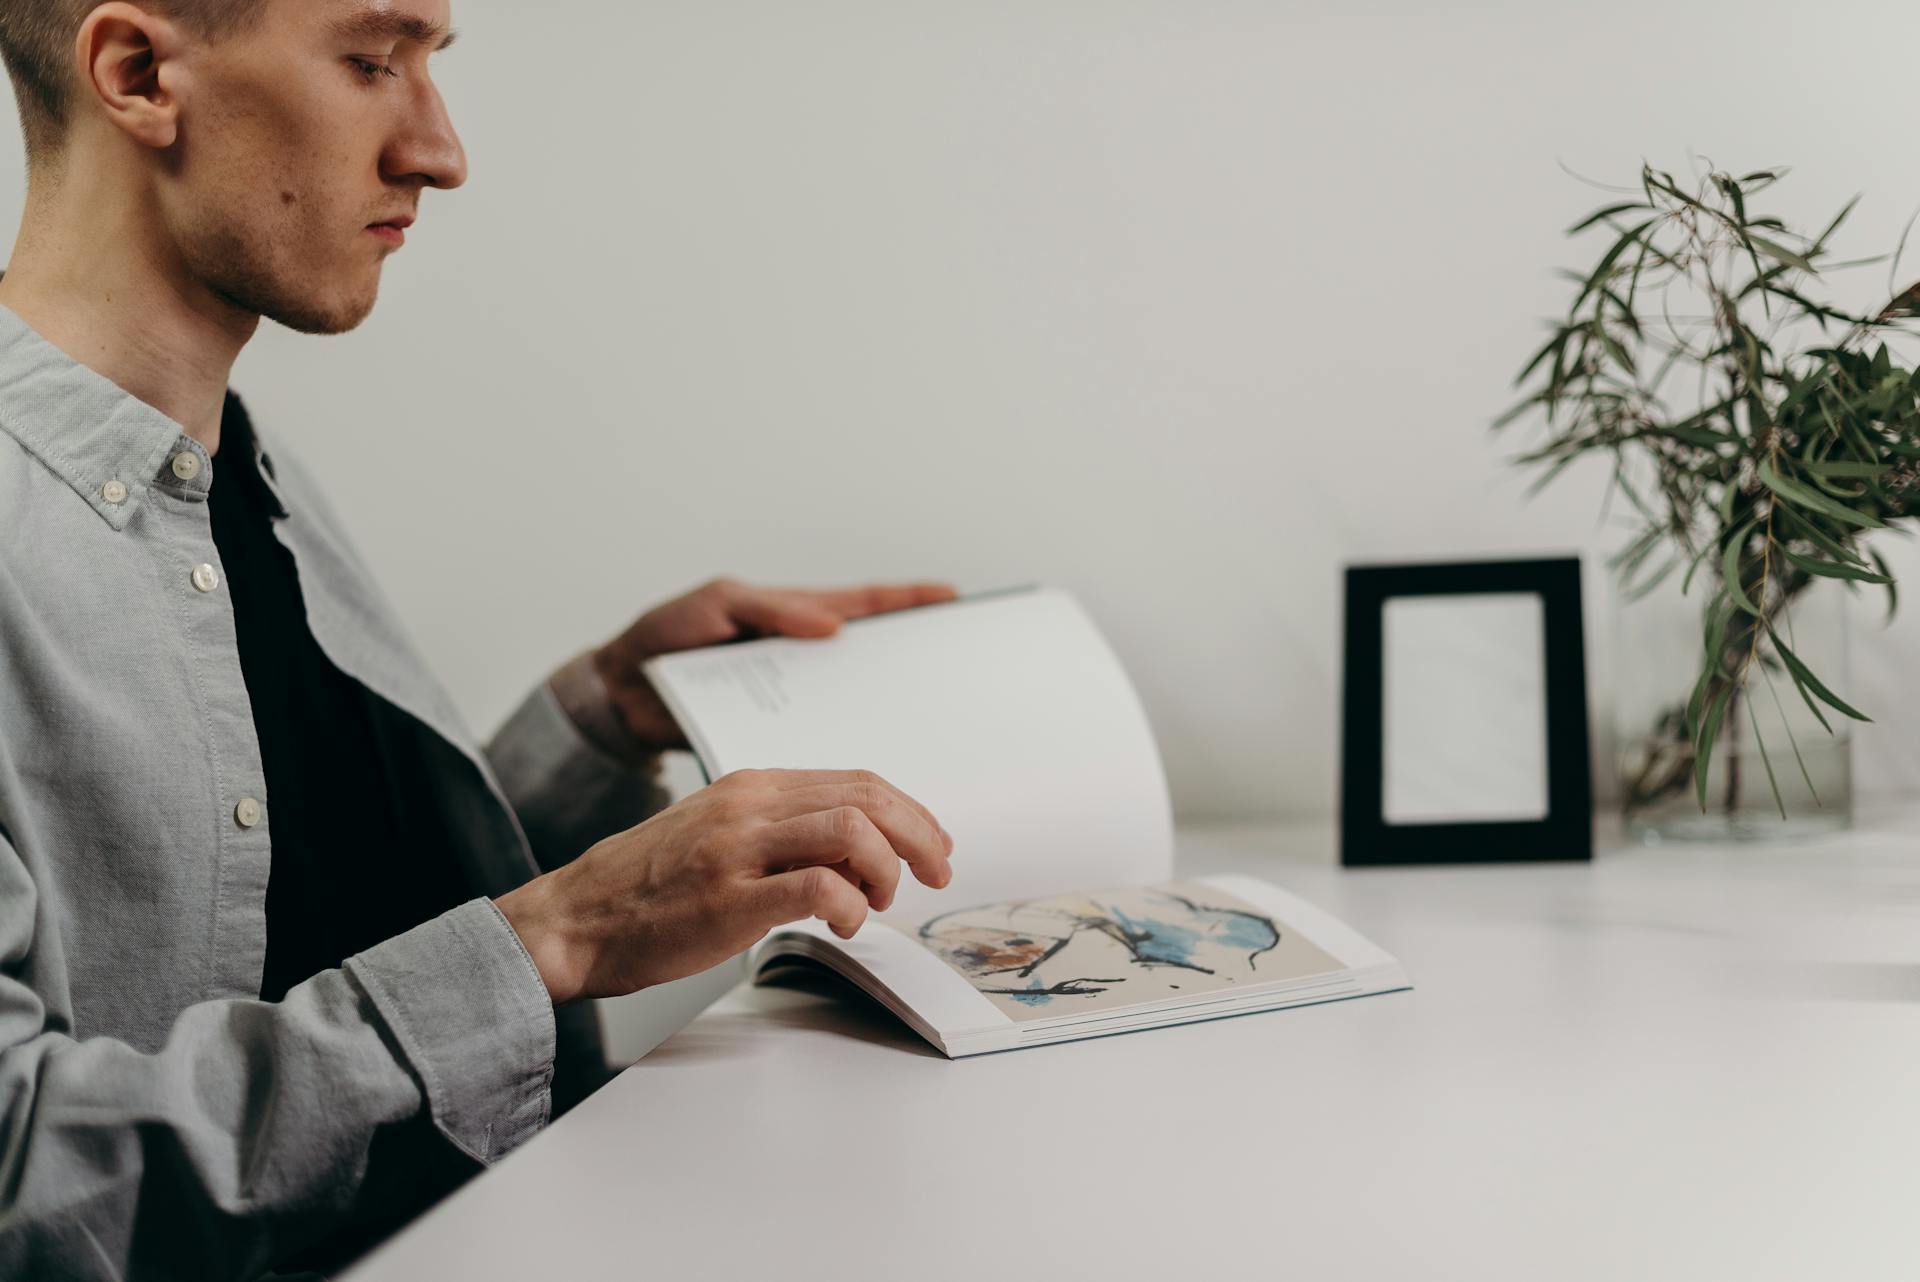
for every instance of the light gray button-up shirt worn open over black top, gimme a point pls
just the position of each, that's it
(158, 1120)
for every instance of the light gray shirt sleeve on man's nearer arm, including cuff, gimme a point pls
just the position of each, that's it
(249, 1133)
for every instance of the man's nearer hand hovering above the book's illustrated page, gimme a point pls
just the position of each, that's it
(709, 876)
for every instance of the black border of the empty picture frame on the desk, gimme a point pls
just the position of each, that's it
(1568, 830)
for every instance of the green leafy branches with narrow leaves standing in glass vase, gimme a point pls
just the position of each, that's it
(1758, 431)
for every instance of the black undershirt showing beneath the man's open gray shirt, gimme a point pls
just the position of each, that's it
(360, 851)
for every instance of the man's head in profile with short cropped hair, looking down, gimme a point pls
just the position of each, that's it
(256, 145)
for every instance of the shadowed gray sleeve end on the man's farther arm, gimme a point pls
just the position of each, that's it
(567, 792)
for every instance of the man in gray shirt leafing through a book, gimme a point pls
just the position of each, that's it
(277, 959)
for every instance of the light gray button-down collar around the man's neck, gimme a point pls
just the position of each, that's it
(110, 446)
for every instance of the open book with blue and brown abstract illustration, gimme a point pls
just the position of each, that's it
(1011, 719)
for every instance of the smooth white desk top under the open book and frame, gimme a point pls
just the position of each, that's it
(1669, 1064)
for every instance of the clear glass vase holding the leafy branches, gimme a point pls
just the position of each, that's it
(1781, 769)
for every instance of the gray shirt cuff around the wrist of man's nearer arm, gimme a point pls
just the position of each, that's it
(473, 1020)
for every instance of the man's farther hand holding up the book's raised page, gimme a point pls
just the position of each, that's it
(725, 611)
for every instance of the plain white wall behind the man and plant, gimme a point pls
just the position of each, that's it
(1182, 304)
